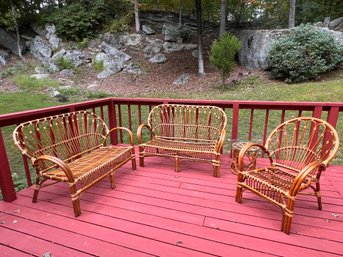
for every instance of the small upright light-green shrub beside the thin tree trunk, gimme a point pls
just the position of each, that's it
(222, 54)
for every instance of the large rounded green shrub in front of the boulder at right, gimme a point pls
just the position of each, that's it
(303, 54)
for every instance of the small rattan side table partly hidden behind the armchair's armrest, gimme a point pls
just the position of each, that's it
(249, 163)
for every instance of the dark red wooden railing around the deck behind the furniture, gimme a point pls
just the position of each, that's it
(247, 120)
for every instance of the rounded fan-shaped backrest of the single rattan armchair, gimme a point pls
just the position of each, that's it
(300, 141)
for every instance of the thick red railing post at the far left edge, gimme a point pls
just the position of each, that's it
(6, 181)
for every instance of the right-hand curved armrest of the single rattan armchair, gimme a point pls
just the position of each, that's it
(298, 183)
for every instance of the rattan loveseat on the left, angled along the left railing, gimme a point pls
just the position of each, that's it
(71, 148)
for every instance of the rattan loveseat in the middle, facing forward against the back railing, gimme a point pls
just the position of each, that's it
(184, 132)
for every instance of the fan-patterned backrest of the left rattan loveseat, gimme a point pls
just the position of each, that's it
(66, 136)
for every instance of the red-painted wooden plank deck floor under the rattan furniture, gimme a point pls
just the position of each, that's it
(157, 212)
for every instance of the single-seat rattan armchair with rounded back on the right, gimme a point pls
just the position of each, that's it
(299, 150)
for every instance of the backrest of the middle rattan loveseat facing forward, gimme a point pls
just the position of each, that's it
(187, 121)
